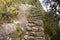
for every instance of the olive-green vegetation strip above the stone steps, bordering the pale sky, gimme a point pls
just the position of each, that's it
(35, 3)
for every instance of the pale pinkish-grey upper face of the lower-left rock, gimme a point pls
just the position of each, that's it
(6, 29)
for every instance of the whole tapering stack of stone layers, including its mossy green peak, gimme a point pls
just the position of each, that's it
(34, 27)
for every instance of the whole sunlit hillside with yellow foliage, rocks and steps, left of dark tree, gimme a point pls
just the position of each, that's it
(21, 20)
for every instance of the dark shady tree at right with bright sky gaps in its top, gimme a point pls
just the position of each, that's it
(52, 17)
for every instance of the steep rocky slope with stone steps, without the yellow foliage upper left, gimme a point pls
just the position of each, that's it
(27, 25)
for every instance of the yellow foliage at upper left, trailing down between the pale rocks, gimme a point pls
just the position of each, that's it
(8, 12)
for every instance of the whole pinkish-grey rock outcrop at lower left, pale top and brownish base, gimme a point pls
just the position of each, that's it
(8, 31)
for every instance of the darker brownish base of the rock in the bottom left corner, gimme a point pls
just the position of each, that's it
(11, 36)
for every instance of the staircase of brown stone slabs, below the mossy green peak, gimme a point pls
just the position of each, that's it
(34, 29)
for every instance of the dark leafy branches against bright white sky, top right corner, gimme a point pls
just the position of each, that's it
(54, 7)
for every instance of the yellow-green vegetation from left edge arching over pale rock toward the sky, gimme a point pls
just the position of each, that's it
(9, 10)
